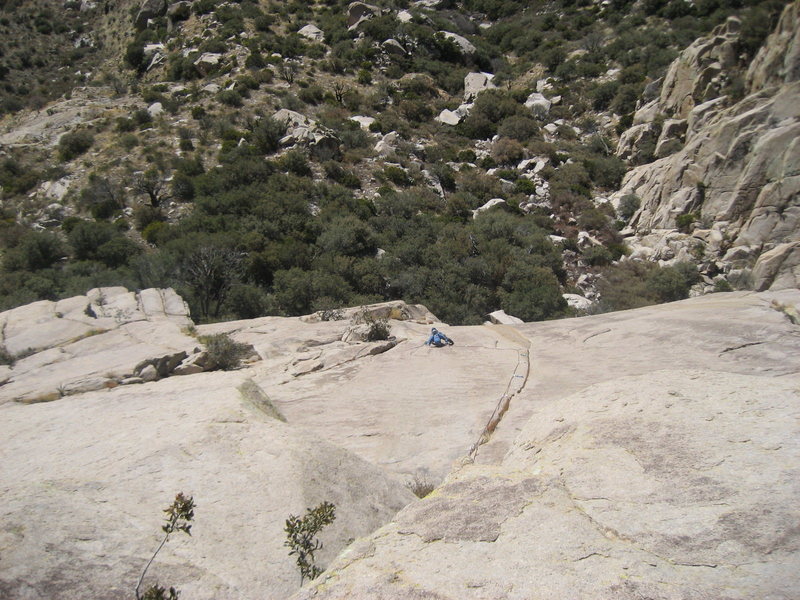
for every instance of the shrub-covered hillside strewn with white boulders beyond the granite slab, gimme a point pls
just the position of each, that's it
(275, 159)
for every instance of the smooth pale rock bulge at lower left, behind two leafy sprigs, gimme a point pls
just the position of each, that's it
(93, 487)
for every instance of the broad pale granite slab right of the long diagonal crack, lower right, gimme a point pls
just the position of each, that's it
(652, 474)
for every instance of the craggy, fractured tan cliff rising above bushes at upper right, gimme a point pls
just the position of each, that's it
(737, 166)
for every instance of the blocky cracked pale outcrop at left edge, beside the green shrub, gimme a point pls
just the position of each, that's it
(89, 342)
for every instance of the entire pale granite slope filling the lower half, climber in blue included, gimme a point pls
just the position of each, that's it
(649, 452)
